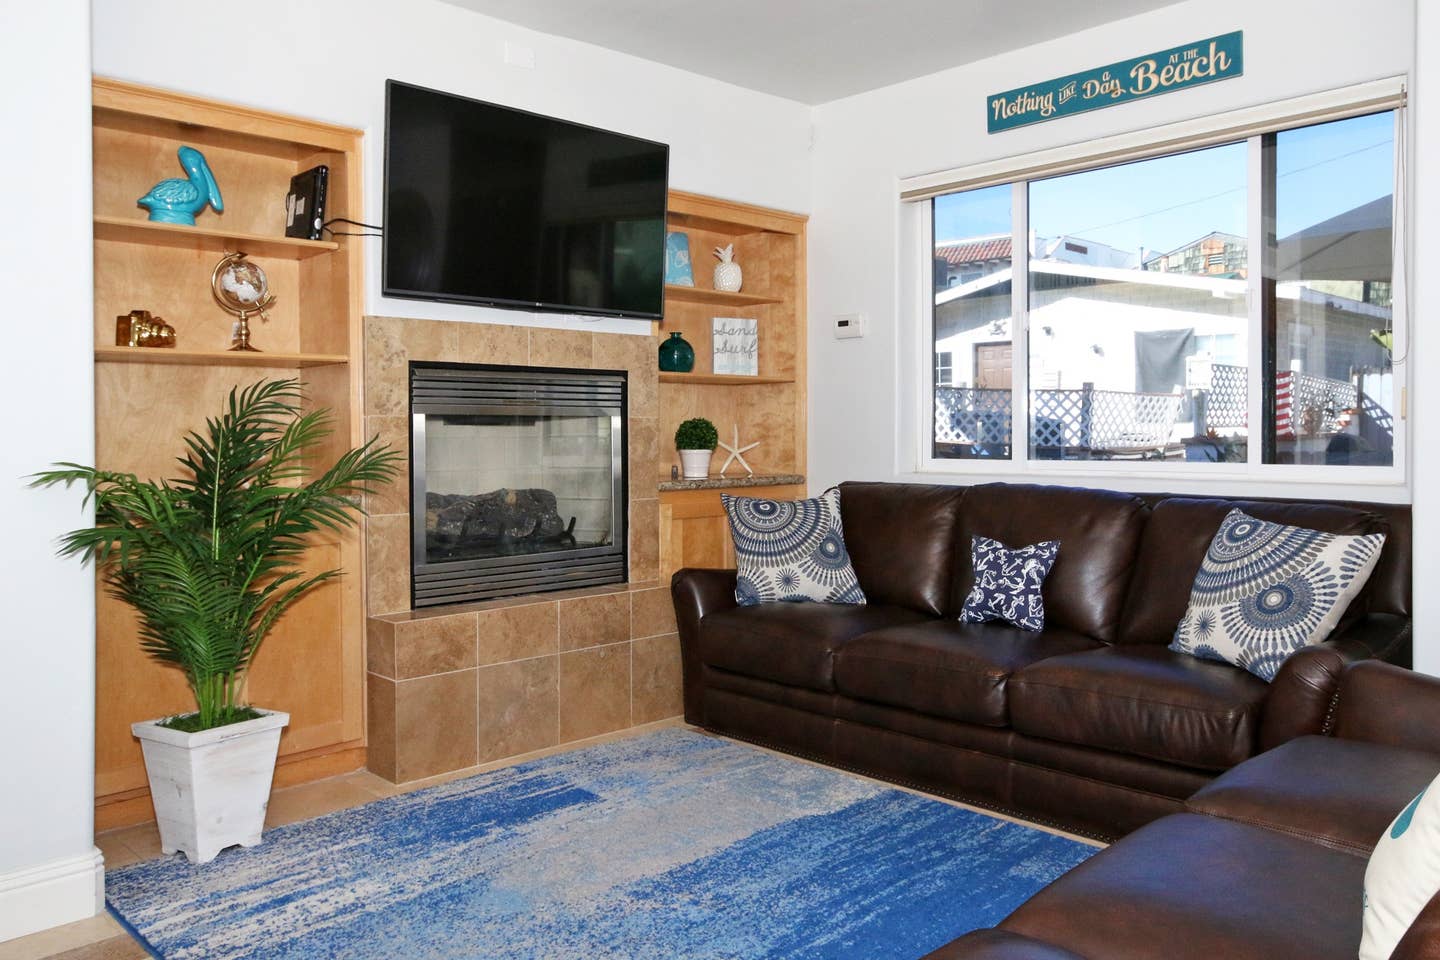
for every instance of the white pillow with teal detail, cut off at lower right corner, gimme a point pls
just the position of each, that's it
(1403, 876)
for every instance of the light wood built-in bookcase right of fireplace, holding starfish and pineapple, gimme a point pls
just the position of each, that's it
(770, 408)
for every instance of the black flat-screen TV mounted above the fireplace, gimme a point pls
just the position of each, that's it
(498, 207)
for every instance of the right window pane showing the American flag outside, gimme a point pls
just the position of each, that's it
(1327, 313)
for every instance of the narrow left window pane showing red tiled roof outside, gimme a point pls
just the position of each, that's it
(973, 263)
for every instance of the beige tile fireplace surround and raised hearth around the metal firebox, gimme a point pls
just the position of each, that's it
(460, 686)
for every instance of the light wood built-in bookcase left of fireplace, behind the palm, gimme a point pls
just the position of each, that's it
(313, 666)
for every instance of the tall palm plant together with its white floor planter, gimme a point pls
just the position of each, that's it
(211, 562)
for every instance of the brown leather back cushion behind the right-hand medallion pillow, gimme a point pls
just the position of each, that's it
(1177, 536)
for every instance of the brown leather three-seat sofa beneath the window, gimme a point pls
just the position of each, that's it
(1091, 725)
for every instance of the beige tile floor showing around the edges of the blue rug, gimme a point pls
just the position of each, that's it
(103, 939)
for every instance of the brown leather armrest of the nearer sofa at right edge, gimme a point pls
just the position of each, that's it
(1387, 705)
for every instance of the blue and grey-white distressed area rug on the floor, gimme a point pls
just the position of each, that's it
(670, 846)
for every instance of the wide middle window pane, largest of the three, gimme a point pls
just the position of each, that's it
(1138, 310)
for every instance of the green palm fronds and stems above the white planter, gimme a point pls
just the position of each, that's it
(212, 561)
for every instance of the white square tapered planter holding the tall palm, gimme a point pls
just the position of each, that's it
(211, 788)
